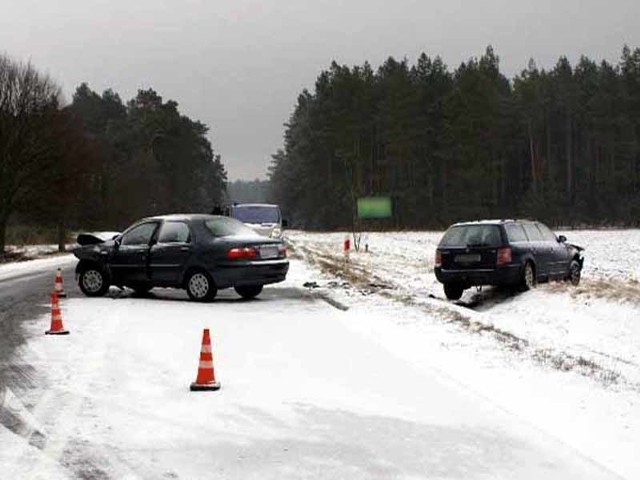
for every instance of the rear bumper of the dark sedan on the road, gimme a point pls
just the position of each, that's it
(250, 273)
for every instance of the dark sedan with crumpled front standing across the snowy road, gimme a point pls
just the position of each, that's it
(199, 253)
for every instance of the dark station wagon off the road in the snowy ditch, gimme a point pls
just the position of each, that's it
(503, 252)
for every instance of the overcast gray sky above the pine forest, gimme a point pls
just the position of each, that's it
(238, 65)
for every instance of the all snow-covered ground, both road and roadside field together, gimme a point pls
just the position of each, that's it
(395, 382)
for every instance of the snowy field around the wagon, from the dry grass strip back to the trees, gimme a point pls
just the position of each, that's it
(594, 323)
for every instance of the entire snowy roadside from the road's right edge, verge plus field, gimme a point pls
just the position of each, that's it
(564, 358)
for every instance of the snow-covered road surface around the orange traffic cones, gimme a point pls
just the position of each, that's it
(308, 391)
